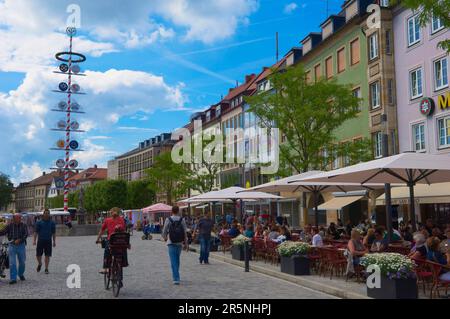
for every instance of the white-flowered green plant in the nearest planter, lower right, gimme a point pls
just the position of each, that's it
(392, 265)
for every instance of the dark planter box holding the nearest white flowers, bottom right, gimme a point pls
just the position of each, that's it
(394, 289)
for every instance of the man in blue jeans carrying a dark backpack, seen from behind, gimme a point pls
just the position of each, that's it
(175, 234)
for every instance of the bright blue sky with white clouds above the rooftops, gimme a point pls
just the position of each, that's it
(150, 65)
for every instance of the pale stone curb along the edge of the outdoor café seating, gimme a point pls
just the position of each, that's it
(301, 281)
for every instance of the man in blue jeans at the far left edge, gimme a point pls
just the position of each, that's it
(17, 233)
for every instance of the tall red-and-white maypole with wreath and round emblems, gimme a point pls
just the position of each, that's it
(70, 67)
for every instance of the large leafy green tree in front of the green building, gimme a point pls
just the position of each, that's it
(308, 115)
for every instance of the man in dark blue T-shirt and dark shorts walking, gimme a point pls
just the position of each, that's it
(44, 233)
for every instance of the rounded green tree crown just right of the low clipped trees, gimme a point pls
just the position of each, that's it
(169, 178)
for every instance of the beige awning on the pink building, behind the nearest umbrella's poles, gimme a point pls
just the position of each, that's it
(423, 194)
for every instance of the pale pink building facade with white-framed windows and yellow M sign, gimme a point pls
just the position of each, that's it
(422, 79)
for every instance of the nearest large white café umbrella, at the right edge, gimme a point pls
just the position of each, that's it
(406, 168)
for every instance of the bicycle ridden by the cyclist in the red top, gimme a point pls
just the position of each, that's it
(118, 244)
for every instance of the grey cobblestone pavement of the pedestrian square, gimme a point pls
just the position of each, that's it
(148, 276)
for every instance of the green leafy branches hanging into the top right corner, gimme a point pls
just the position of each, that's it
(429, 9)
